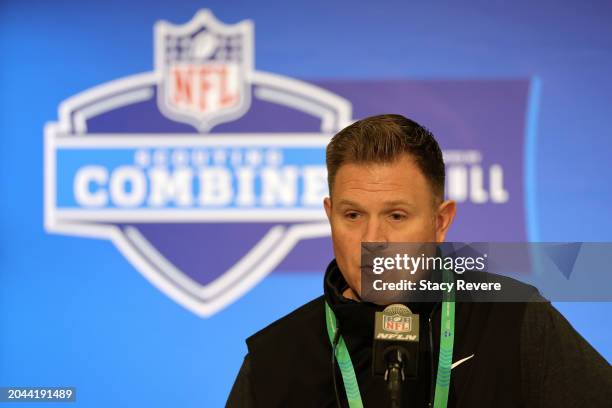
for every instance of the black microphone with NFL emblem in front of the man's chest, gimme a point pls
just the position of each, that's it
(396, 348)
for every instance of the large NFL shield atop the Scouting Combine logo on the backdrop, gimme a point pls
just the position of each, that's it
(205, 69)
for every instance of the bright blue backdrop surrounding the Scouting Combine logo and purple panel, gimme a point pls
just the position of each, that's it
(74, 312)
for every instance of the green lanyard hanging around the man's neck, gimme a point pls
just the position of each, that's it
(447, 338)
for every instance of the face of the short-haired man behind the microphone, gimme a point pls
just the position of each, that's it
(382, 203)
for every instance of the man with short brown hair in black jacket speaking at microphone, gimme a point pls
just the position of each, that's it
(386, 183)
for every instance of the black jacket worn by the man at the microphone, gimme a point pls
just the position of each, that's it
(524, 355)
